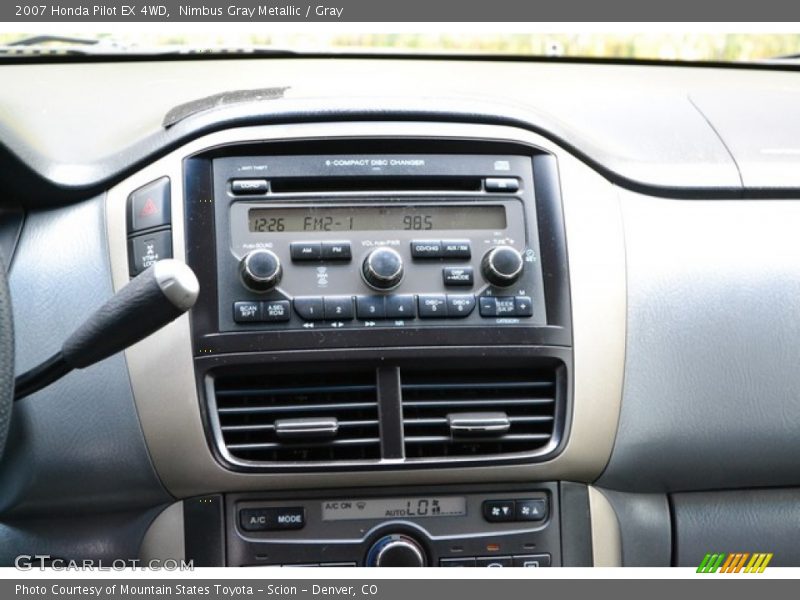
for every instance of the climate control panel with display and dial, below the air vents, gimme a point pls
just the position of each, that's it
(451, 526)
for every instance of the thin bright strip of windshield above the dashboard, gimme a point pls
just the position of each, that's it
(725, 47)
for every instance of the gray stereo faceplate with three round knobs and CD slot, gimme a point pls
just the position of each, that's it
(326, 241)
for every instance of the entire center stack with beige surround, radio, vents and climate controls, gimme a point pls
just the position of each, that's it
(379, 367)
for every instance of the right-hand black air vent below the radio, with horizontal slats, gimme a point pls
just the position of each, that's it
(478, 413)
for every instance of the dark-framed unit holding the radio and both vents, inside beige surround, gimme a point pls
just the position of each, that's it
(453, 246)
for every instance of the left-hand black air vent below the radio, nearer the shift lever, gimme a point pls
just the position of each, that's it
(299, 418)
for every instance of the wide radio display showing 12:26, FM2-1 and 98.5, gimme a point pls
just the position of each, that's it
(377, 218)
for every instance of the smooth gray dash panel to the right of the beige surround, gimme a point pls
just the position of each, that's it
(711, 379)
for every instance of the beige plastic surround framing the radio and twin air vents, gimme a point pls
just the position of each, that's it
(161, 367)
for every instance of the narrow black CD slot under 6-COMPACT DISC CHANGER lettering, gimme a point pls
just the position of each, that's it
(295, 185)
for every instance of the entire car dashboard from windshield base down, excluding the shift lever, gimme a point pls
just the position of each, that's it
(452, 312)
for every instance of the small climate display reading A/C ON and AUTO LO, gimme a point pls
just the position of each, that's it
(385, 508)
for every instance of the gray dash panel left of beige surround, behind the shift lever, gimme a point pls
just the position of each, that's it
(75, 447)
